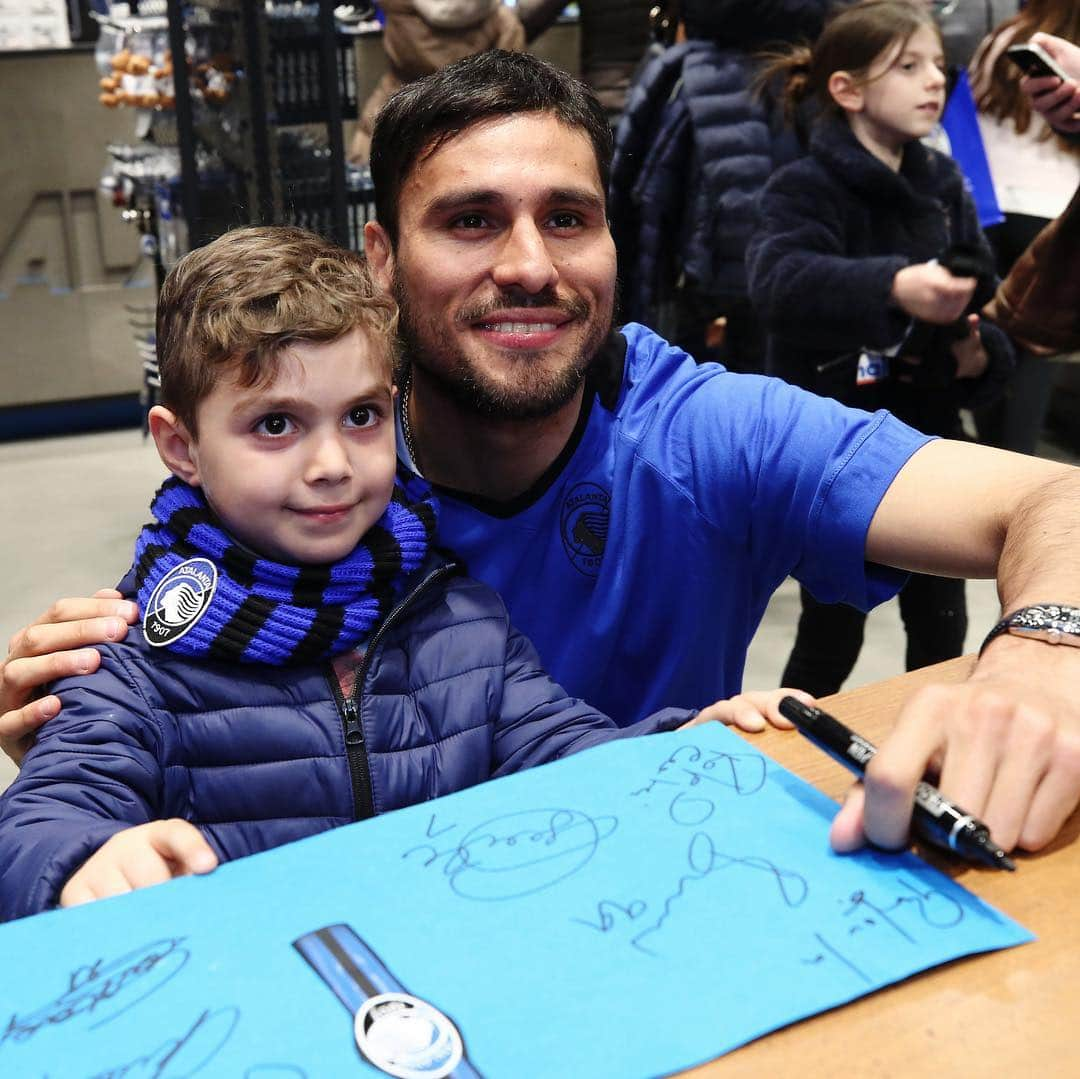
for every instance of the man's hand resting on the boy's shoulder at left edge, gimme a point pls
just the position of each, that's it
(55, 646)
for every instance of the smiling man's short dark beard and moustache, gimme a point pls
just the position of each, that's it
(533, 394)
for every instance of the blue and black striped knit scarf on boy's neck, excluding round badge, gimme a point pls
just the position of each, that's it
(264, 612)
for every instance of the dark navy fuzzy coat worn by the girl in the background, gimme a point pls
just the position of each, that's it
(834, 231)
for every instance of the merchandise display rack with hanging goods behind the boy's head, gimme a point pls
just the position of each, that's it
(246, 129)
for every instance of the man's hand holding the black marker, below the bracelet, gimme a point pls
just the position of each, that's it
(1004, 746)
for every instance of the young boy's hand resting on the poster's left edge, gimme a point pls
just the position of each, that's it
(138, 858)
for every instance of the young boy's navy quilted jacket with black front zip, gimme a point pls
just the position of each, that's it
(449, 695)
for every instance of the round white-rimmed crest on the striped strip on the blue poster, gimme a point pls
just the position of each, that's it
(406, 1037)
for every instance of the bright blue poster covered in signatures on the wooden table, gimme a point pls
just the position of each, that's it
(632, 911)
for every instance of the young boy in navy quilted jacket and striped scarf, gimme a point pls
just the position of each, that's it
(306, 658)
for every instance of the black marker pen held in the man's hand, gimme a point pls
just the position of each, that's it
(935, 818)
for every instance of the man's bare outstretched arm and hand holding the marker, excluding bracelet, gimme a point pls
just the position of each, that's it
(1006, 745)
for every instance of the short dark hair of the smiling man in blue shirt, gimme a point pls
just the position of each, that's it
(426, 114)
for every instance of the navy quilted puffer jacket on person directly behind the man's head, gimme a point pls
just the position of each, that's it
(694, 150)
